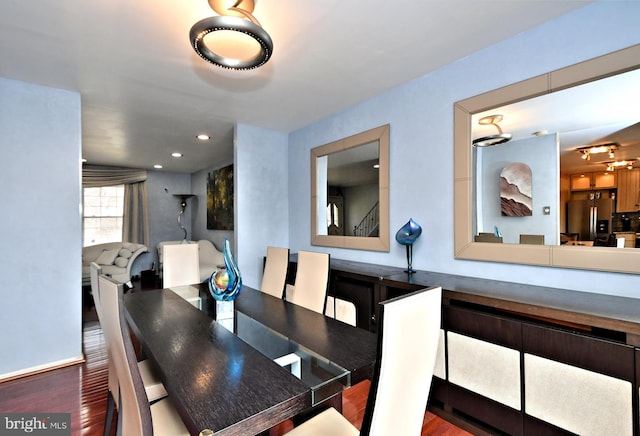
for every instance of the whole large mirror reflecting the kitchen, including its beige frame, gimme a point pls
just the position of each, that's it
(573, 201)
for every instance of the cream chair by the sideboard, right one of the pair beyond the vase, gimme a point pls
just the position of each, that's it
(312, 279)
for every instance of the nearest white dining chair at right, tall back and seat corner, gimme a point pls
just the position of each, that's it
(408, 343)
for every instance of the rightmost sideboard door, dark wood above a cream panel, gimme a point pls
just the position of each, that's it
(578, 383)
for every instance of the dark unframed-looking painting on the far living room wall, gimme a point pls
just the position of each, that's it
(220, 199)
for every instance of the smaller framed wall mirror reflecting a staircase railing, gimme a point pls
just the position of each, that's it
(350, 192)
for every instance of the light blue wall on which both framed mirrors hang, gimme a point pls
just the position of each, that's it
(421, 140)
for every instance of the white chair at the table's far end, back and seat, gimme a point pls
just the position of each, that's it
(181, 269)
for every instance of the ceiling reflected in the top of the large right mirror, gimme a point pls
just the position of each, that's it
(600, 112)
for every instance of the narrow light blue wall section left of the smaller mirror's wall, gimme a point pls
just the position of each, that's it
(261, 203)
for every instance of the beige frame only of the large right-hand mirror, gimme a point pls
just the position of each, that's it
(625, 260)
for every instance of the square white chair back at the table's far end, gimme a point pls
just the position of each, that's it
(181, 265)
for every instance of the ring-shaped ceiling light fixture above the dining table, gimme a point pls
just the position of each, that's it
(235, 39)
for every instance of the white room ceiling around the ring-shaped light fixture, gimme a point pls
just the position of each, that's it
(145, 93)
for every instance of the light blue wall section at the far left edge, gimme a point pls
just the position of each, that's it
(40, 227)
